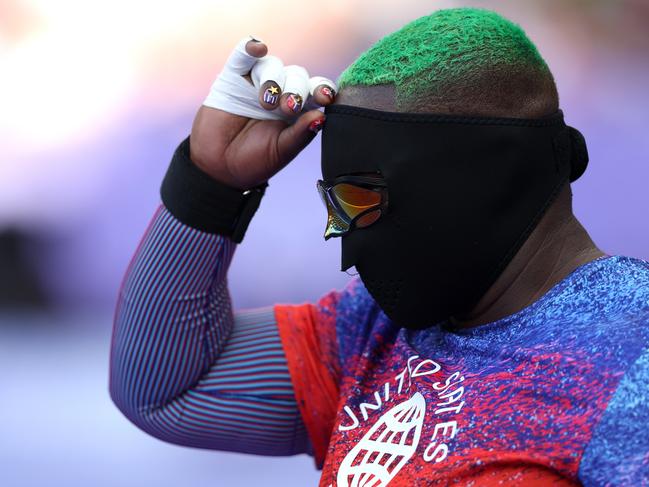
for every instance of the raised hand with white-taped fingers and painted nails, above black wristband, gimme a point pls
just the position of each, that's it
(254, 122)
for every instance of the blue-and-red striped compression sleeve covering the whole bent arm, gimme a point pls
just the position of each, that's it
(187, 370)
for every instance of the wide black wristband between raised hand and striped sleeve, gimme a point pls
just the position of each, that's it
(201, 202)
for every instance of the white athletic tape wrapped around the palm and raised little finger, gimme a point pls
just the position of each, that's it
(234, 94)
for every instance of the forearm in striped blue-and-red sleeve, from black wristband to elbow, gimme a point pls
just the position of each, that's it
(173, 315)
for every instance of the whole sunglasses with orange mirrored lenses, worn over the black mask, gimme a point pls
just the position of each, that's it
(352, 202)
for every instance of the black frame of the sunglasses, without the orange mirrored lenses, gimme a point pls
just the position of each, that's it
(372, 183)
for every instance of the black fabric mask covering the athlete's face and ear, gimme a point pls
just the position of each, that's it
(464, 193)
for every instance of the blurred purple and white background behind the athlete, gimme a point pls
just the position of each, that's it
(94, 97)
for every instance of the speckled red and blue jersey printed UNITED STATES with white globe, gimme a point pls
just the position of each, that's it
(556, 394)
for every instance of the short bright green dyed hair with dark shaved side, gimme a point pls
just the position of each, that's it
(465, 55)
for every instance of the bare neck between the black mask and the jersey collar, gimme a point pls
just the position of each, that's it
(556, 247)
